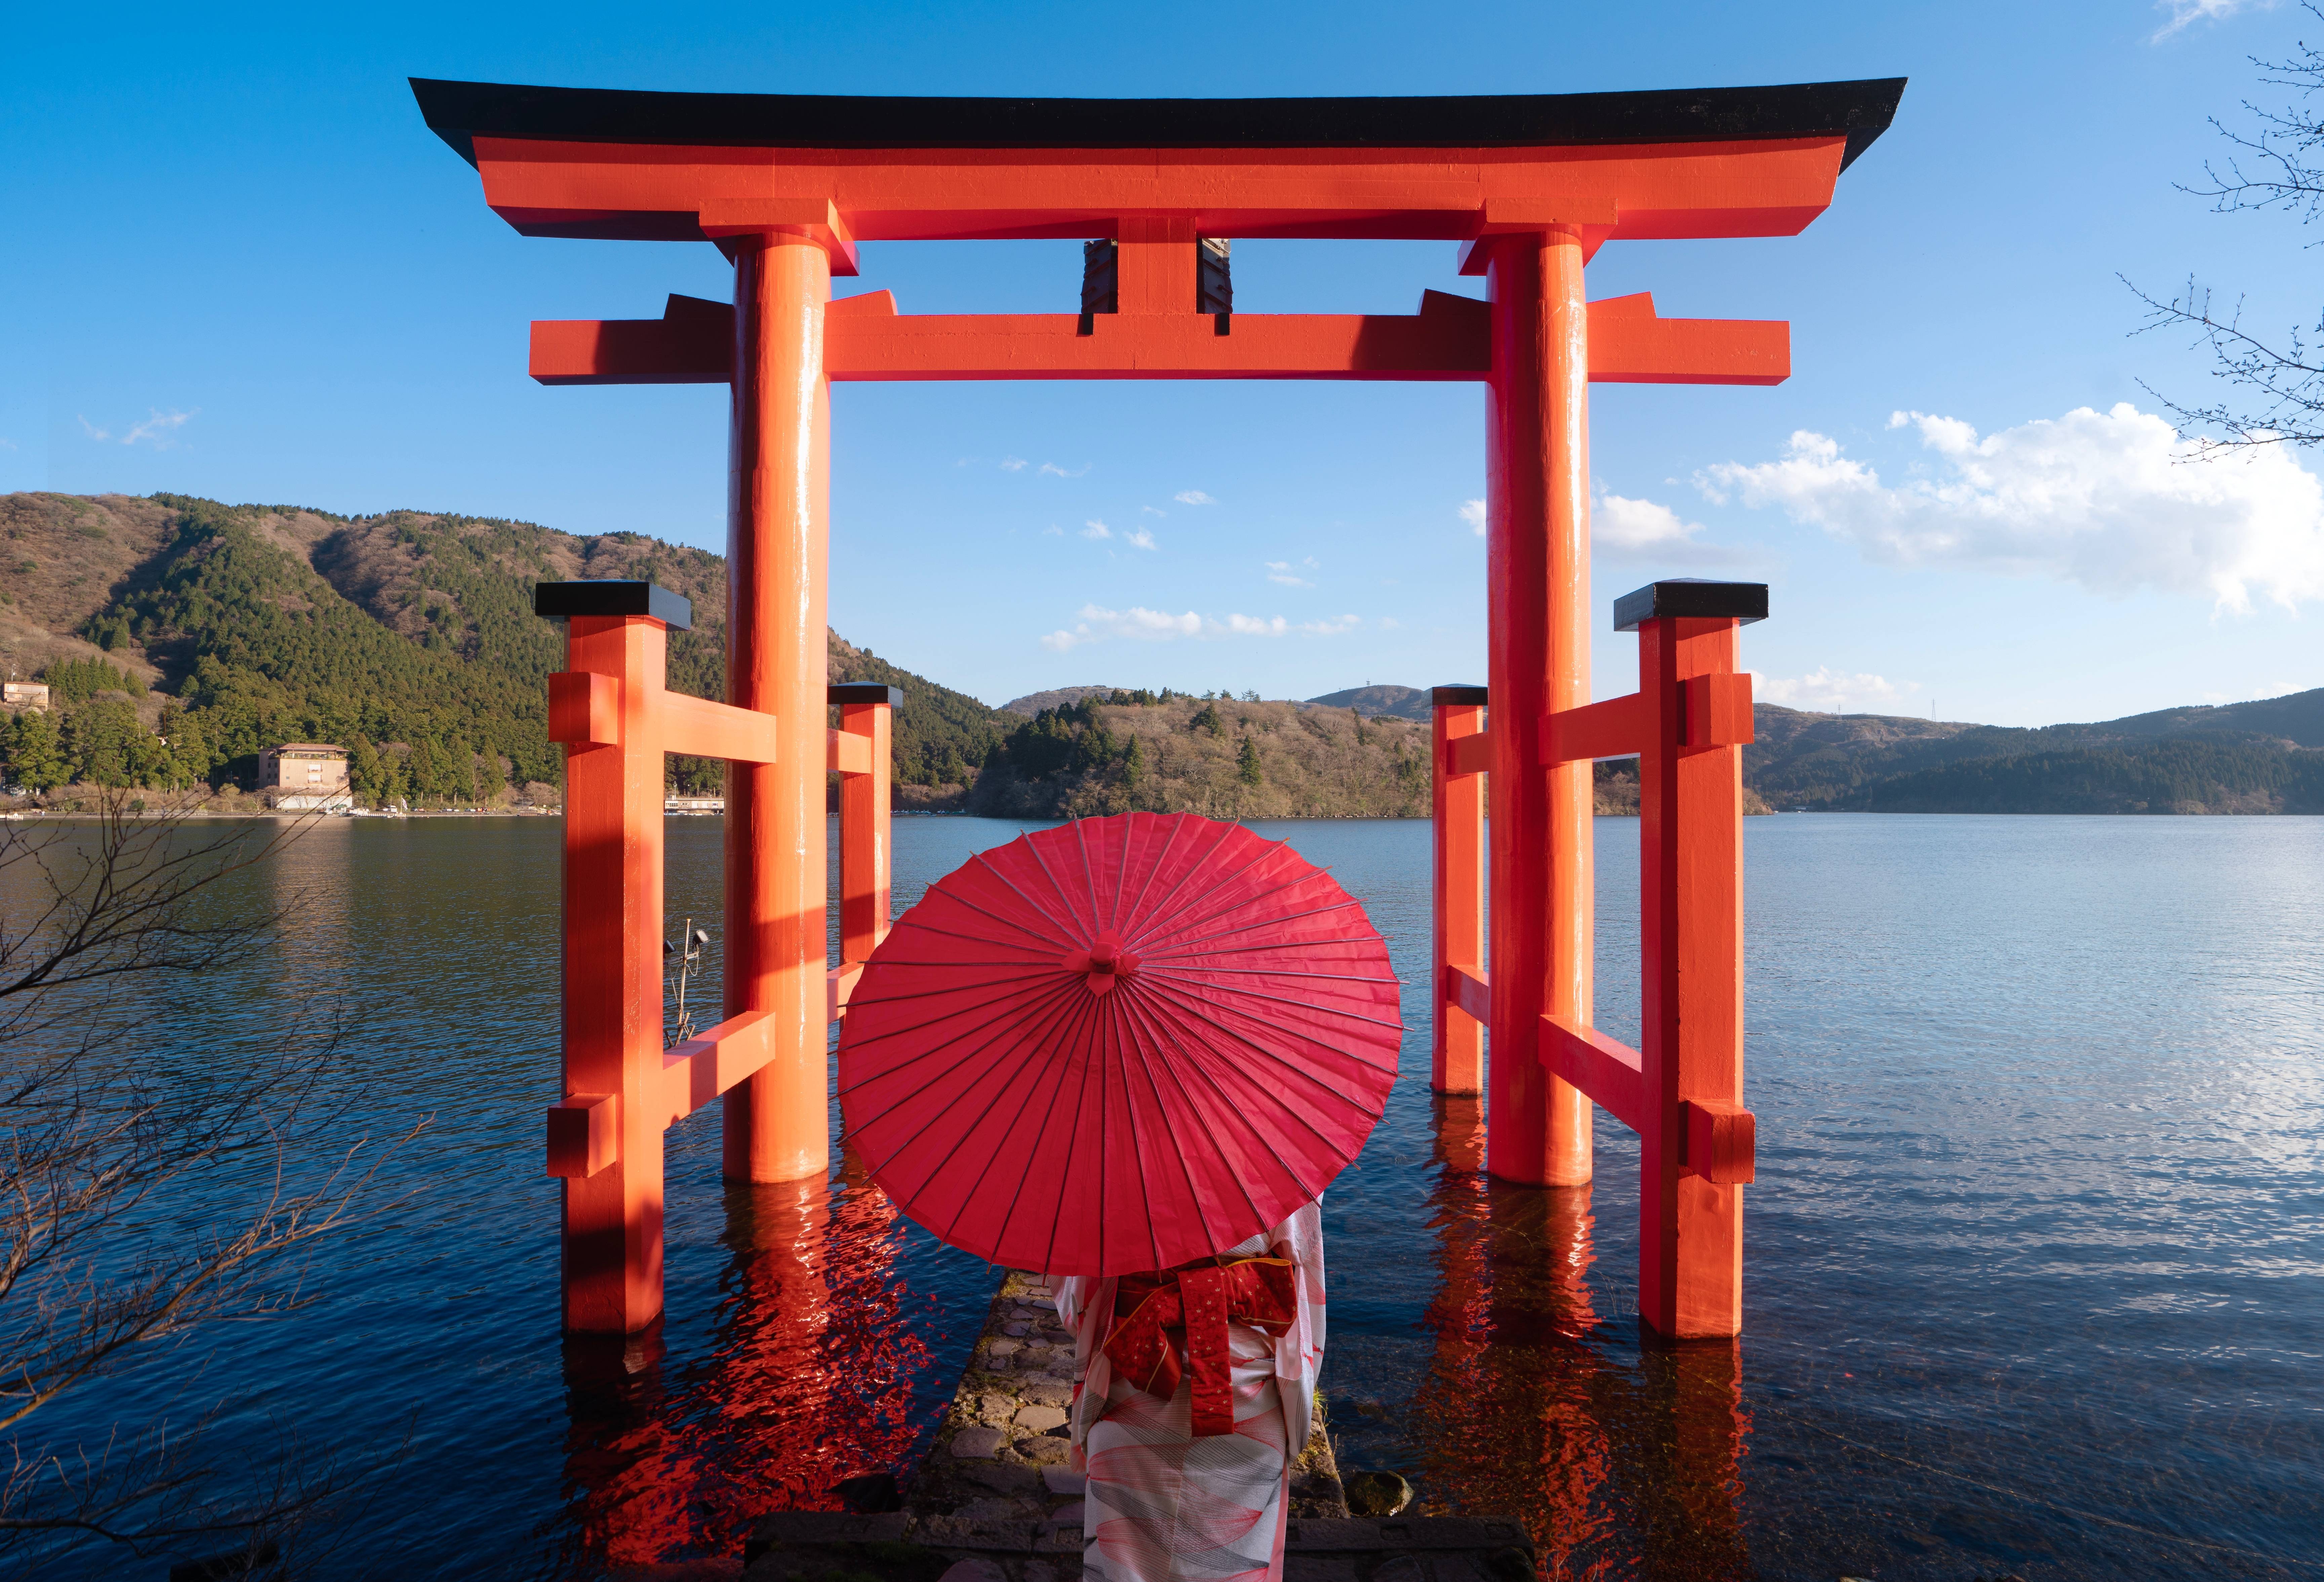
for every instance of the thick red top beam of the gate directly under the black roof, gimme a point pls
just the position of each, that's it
(689, 192)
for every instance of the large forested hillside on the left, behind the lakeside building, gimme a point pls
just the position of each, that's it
(406, 638)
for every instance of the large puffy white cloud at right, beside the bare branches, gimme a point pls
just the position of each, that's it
(2109, 501)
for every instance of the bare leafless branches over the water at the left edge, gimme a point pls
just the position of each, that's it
(94, 921)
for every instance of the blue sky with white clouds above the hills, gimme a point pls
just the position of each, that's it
(236, 264)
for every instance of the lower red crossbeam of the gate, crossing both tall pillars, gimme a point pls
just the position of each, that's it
(1447, 340)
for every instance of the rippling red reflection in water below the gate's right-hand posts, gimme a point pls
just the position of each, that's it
(1621, 1465)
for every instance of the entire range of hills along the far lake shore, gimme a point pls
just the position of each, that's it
(410, 638)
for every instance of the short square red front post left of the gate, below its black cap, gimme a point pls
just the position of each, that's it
(612, 1239)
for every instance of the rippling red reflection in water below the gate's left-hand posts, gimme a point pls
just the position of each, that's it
(812, 1381)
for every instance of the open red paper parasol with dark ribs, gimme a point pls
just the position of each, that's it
(1119, 1044)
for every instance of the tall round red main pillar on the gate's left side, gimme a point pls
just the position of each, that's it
(777, 568)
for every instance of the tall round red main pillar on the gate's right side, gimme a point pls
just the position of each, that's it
(1537, 570)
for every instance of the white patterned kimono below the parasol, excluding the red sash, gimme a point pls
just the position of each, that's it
(1163, 1502)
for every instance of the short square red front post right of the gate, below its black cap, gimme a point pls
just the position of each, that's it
(1691, 870)
